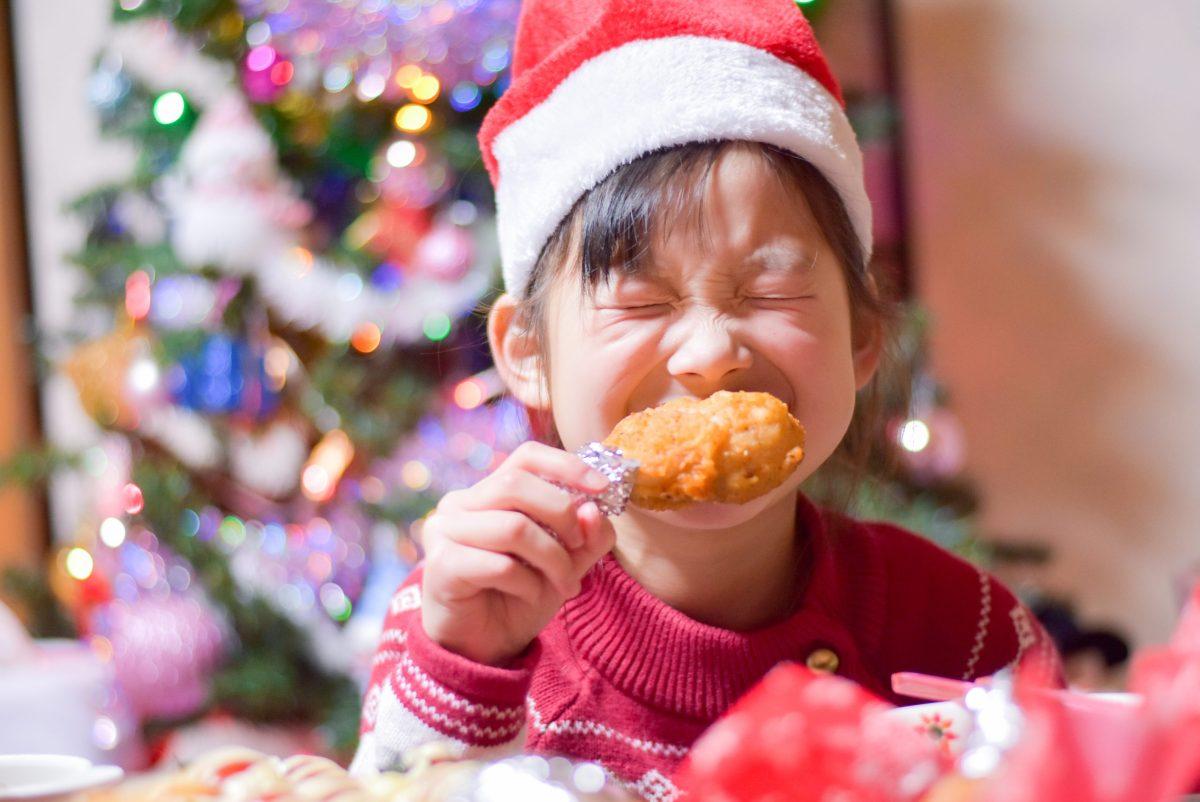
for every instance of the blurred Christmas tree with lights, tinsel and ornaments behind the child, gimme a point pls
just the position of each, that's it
(292, 372)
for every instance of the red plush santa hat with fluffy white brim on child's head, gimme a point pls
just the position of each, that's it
(598, 83)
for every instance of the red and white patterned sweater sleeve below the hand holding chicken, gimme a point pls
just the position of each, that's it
(421, 693)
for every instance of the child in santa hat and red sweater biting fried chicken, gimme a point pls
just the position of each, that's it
(681, 211)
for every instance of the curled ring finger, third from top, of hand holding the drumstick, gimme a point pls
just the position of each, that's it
(513, 534)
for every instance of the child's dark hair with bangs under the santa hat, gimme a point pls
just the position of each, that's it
(611, 229)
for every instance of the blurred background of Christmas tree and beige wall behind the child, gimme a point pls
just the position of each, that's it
(245, 244)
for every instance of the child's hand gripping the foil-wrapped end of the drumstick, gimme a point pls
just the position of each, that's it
(494, 574)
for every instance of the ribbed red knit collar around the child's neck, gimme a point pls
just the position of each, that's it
(664, 659)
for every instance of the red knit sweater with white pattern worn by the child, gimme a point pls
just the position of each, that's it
(622, 679)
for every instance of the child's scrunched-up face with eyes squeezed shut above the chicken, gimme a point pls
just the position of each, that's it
(757, 304)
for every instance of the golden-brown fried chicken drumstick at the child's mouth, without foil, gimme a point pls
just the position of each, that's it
(729, 448)
